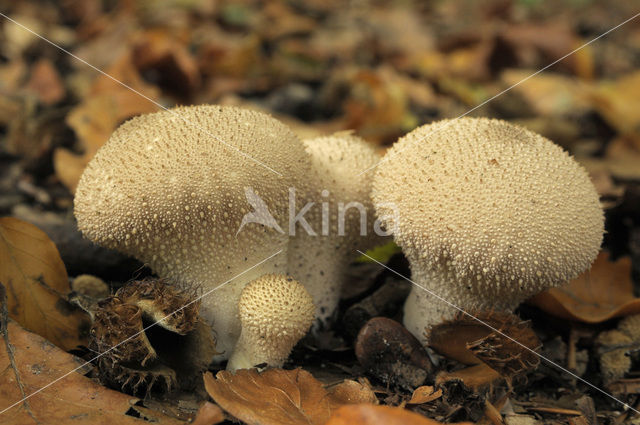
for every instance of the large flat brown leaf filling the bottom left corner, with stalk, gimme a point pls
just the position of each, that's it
(28, 363)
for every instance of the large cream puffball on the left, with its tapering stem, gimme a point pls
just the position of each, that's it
(171, 189)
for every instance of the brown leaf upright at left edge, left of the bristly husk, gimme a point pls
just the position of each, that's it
(36, 282)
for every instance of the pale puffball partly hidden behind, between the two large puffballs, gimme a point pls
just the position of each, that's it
(341, 218)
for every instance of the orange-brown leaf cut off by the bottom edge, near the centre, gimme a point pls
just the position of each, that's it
(366, 414)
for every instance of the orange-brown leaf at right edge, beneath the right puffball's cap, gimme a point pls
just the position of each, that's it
(604, 292)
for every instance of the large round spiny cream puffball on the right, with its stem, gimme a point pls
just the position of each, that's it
(487, 213)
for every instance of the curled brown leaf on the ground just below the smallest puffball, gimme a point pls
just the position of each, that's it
(280, 397)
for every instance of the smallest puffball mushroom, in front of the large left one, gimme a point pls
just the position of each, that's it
(275, 312)
